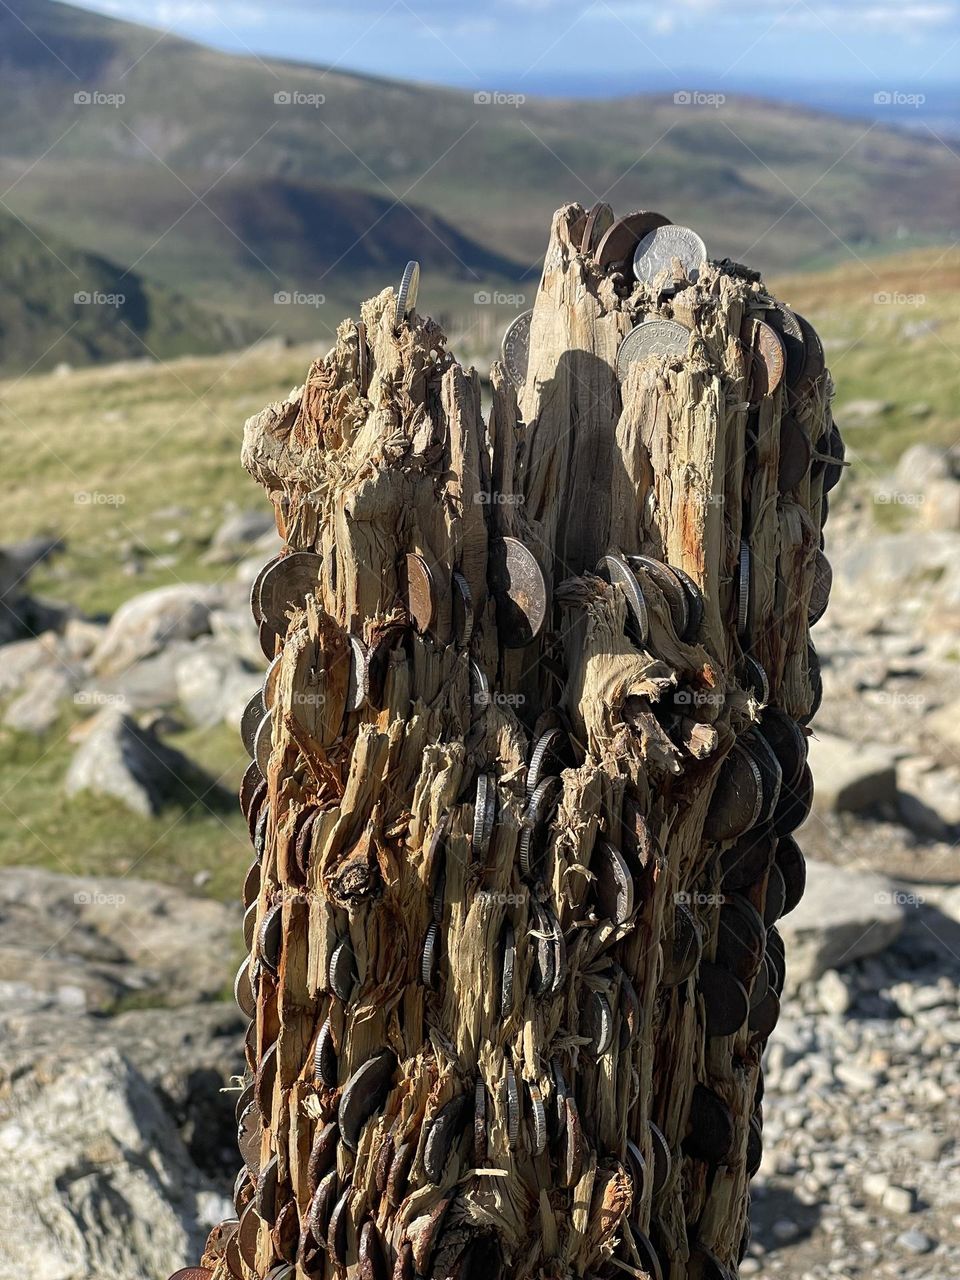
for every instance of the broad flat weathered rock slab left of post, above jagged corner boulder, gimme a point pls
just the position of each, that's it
(88, 944)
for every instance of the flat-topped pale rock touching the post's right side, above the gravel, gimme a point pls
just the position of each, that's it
(843, 917)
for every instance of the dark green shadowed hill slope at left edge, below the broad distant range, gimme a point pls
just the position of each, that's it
(61, 305)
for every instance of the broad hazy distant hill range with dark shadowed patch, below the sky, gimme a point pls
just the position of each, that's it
(211, 184)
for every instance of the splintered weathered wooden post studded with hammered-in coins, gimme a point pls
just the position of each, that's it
(531, 757)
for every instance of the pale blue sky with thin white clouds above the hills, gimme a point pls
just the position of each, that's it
(589, 47)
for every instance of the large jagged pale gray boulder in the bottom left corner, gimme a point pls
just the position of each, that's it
(95, 1181)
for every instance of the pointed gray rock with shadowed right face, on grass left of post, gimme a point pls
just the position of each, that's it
(118, 758)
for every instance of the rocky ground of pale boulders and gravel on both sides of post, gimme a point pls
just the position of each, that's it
(117, 1132)
